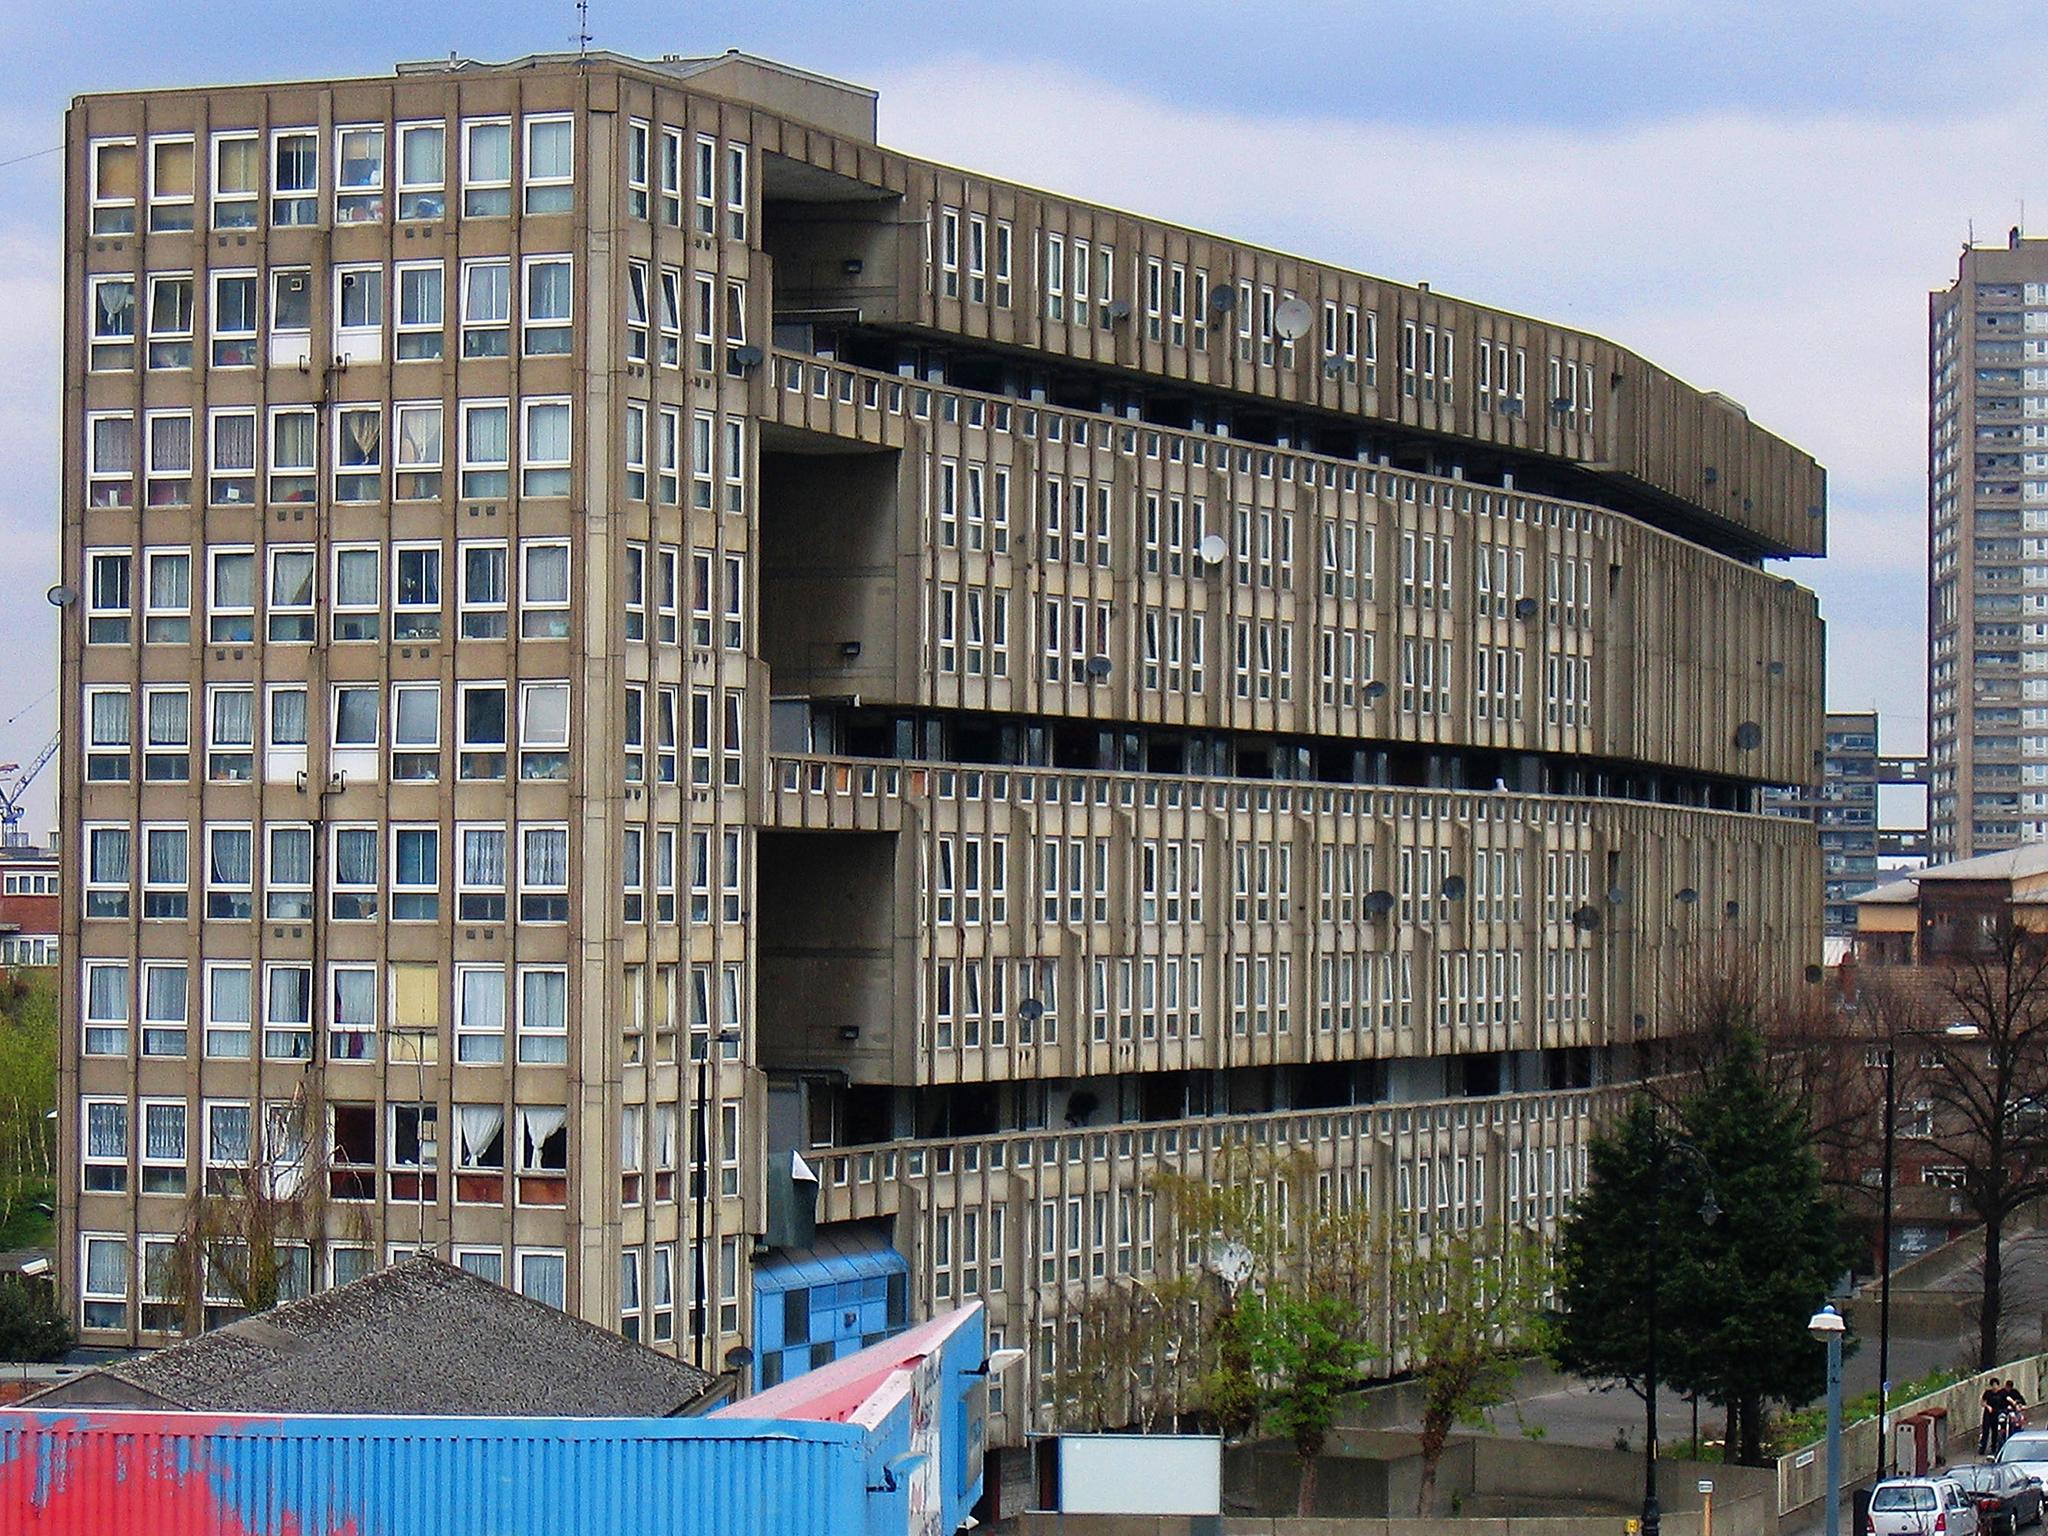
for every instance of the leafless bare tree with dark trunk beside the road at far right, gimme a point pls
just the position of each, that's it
(1981, 1070)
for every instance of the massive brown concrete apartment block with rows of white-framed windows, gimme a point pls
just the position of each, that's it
(751, 732)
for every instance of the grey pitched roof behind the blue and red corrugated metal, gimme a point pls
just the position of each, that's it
(417, 1338)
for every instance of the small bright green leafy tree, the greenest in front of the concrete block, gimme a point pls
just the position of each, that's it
(1306, 1353)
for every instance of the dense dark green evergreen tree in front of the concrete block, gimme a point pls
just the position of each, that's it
(1734, 1293)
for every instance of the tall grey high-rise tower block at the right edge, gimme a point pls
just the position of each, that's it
(1988, 540)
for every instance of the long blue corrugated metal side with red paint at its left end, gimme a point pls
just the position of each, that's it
(124, 1474)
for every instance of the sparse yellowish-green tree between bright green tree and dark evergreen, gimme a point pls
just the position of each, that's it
(1471, 1306)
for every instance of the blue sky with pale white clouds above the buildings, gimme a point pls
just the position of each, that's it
(1754, 196)
